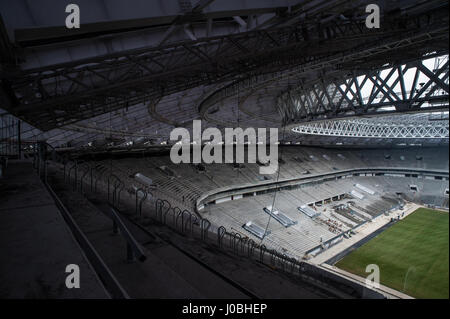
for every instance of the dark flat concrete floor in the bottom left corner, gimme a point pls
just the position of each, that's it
(35, 243)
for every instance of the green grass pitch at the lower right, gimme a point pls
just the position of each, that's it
(415, 248)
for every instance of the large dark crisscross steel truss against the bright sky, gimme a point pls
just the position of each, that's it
(411, 87)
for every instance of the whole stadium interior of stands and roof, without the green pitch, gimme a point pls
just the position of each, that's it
(87, 175)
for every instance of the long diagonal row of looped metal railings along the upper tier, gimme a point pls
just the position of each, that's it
(182, 221)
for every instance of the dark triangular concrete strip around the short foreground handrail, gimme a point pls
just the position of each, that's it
(166, 273)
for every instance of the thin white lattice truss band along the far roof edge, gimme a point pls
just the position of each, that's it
(378, 128)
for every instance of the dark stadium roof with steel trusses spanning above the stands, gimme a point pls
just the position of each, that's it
(133, 72)
